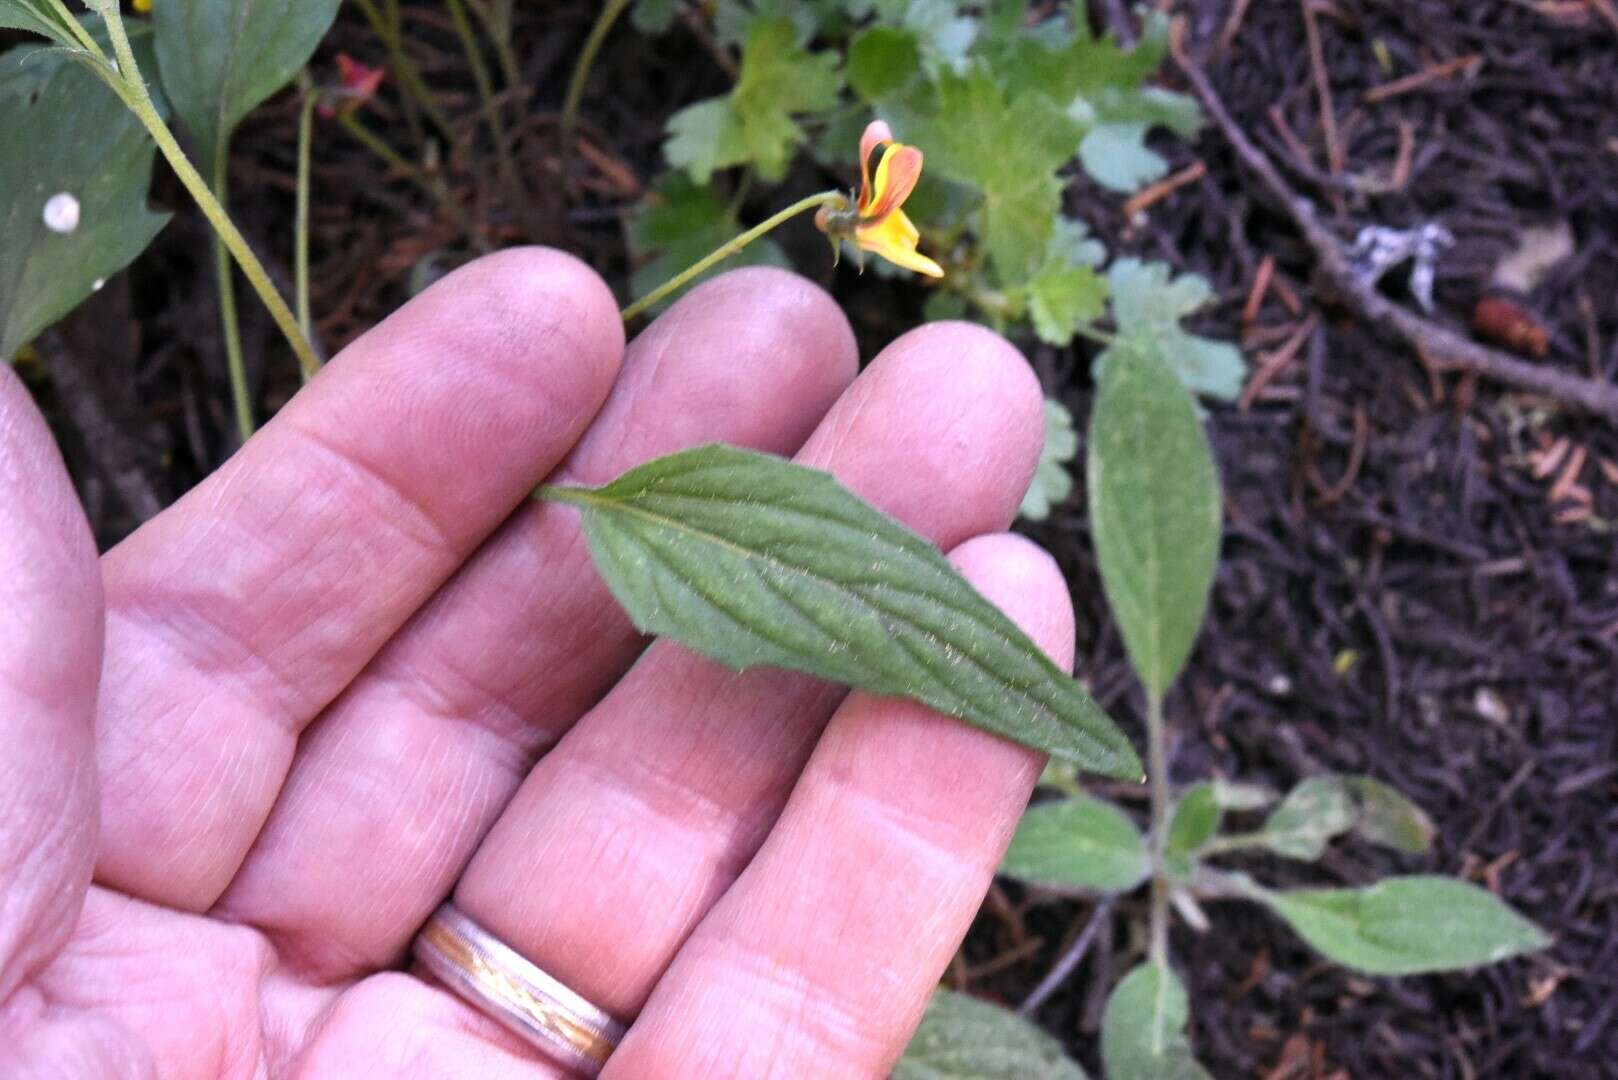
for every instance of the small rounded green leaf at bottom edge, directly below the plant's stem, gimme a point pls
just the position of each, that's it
(1145, 1029)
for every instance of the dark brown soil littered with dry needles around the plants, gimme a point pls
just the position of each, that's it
(1420, 576)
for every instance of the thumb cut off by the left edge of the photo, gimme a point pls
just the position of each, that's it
(51, 645)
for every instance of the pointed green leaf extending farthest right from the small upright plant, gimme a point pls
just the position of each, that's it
(1408, 925)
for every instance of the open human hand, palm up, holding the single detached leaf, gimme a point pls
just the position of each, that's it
(357, 673)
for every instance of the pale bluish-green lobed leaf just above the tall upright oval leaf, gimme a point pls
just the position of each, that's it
(1150, 307)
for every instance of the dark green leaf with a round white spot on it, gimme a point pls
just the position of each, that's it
(66, 134)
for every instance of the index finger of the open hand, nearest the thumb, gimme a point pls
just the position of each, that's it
(239, 614)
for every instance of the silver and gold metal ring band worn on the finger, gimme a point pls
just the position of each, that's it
(507, 987)
